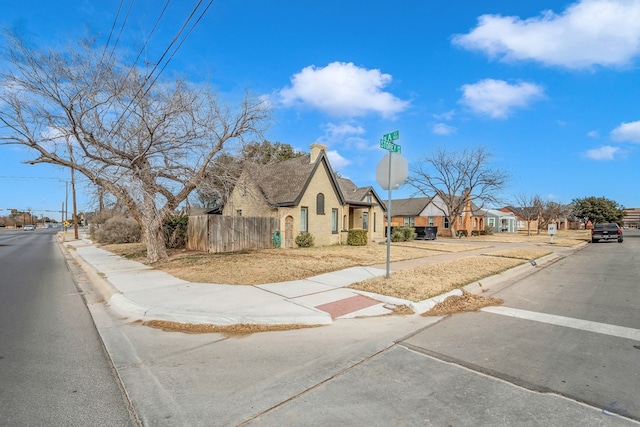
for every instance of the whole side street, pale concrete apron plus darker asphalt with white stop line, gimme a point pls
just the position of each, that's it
(473, 369)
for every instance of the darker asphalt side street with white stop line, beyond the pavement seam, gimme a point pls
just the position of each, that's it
(572, 329)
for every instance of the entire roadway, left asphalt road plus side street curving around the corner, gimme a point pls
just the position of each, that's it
(563, 349)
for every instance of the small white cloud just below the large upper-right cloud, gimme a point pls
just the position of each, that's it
(497, 98)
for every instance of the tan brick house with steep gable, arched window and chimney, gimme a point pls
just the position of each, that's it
(307, 196)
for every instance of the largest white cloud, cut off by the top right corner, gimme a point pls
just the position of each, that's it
(587, 33)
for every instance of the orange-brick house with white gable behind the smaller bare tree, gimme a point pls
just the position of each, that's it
(428, 211)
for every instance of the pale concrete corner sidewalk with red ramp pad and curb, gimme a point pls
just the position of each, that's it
(138, 292)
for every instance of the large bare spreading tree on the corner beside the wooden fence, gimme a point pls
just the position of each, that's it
(146, 142)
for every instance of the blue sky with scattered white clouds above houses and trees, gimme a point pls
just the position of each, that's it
(549, 87)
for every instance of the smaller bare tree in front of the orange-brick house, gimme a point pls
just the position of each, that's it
(457, 177)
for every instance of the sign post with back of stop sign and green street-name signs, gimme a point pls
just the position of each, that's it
(390, 174)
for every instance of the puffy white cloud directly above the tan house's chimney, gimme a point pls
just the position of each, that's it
(343, 89)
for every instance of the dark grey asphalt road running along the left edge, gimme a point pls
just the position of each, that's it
(54, 370)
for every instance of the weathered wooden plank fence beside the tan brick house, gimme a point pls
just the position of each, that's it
(217, 233)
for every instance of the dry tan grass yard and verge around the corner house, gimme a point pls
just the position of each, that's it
(281, 265)
